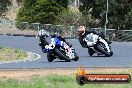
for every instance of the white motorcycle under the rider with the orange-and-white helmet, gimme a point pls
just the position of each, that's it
(98, 45)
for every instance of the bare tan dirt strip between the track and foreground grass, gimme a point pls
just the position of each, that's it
(25, 73)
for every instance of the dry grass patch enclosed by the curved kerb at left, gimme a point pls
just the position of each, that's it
(7, 54)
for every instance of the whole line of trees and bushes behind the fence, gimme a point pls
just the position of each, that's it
(90, 12)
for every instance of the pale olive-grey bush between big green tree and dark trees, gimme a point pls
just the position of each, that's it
(73, 16)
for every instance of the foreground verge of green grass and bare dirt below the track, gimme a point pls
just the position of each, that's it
(40, 79)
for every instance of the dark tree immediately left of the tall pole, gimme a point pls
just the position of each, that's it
(93, 8)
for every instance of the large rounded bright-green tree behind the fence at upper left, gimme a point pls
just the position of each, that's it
(43, 11)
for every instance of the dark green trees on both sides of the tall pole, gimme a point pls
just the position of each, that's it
(119, 13)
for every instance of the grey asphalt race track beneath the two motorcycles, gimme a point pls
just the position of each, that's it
(122, 54)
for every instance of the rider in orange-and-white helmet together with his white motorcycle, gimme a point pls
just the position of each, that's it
(93, 40)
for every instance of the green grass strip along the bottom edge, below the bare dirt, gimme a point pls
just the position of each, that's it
(54, 81)
